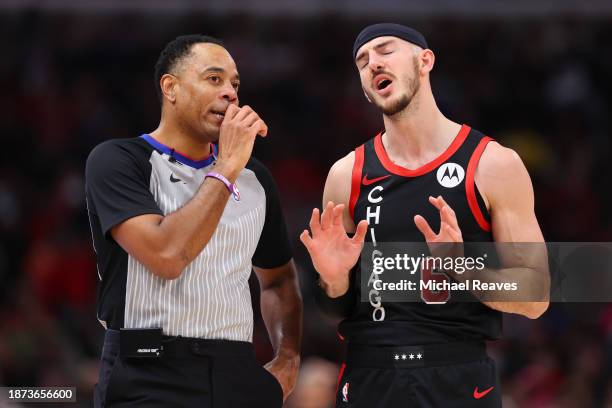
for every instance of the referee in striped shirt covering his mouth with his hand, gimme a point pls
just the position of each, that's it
(177, 224)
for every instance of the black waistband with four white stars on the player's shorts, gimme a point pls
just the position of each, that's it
(359, 355)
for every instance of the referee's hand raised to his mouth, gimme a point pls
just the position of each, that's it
(240, 127)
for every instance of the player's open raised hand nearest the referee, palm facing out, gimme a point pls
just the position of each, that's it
(332, 252)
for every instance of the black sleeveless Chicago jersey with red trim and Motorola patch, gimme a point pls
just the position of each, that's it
(389, 196)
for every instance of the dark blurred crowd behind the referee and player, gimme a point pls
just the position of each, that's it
(71, 81)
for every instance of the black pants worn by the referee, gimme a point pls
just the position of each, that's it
(190, 373)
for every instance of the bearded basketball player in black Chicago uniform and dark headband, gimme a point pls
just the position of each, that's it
(424, 178)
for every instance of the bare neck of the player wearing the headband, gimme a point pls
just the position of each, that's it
(419, 134)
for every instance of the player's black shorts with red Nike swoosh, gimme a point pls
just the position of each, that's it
(453, 375)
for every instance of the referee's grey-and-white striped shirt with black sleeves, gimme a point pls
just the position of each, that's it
(211, 299)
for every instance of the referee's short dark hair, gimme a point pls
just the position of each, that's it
(176, 50)
